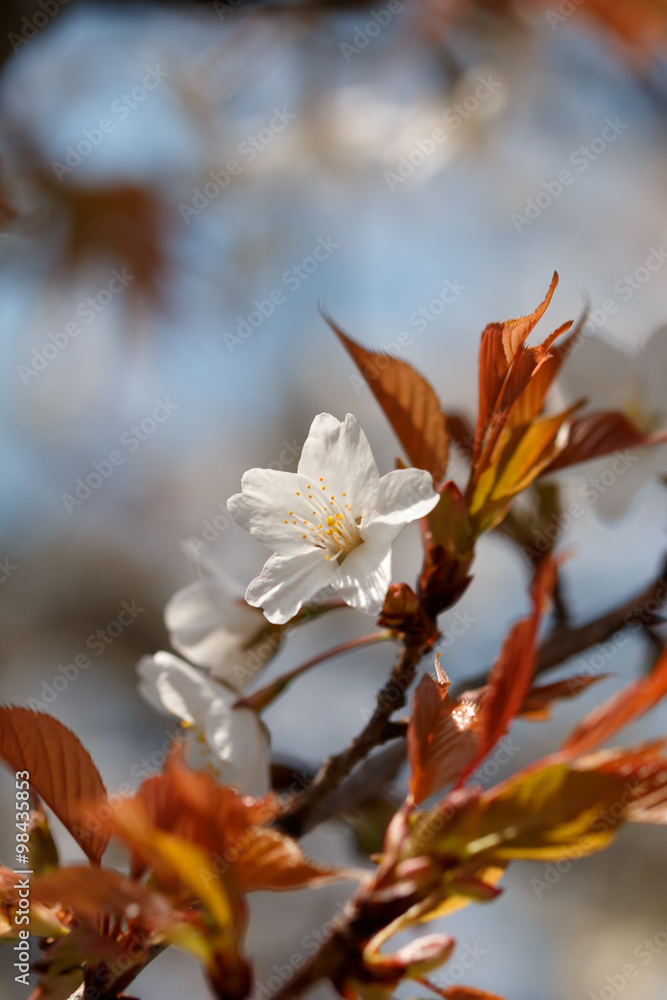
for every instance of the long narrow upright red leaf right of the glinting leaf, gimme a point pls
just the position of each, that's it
(512, 672)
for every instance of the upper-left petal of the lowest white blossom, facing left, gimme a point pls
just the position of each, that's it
(174, 687)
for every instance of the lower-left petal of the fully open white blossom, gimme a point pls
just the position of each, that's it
(286, 583)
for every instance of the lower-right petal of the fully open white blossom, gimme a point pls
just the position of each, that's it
(363, 578)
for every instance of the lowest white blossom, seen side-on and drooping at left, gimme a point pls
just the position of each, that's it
(230, 743)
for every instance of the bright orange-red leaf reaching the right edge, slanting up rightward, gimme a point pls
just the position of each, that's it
(623, 708)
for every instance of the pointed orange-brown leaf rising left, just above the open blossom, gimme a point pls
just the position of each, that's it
(409, 402)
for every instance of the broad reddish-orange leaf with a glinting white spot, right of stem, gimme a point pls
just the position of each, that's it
(441, 737)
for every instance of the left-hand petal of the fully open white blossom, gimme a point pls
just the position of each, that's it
(272, 507)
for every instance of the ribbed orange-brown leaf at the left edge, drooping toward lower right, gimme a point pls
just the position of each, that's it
(61, 770)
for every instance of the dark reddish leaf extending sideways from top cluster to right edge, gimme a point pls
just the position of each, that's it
(599, 434)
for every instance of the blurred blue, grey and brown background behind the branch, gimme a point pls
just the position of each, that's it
(165, 168)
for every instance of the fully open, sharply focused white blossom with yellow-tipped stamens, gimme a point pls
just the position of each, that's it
(331, 524)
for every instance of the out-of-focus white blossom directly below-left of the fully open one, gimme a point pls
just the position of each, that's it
(210, 622)
